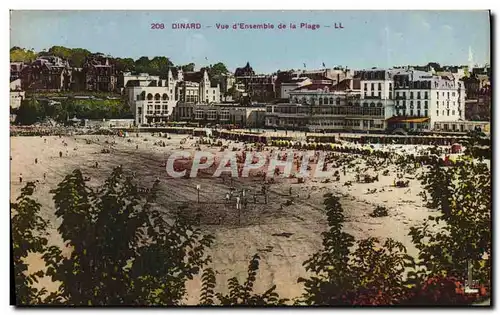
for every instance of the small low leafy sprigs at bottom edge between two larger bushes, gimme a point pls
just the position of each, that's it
(239, 294)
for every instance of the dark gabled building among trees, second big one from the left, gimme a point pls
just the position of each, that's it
(100, 73)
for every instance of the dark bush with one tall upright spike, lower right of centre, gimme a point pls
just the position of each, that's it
(371, 274)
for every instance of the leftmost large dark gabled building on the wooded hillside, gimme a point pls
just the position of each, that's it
(47, 73)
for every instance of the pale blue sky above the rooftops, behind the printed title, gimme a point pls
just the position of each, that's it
(367, 39)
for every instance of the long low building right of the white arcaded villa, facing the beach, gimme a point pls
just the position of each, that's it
(221, 114)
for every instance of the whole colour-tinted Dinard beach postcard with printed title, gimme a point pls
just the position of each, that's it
(250, 158)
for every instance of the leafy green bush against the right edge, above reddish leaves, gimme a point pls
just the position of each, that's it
(464, 197)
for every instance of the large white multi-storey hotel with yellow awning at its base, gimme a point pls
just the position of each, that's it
(422, 99)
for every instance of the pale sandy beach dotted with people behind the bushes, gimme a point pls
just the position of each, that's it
(284, 236)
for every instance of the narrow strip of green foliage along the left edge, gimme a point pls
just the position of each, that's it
(28, 236)
